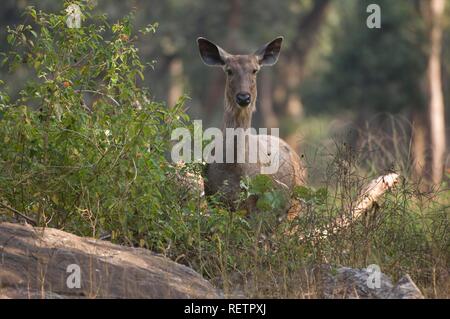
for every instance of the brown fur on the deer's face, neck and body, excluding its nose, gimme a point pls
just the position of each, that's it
(225, 178)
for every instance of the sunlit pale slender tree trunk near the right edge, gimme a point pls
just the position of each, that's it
(435, 94)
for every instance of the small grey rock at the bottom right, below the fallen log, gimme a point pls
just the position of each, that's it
(348, 283)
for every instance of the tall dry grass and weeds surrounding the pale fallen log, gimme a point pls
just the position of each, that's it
(407, 232)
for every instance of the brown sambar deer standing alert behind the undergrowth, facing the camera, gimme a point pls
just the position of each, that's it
(240, 102)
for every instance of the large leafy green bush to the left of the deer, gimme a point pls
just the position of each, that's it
(83, 147)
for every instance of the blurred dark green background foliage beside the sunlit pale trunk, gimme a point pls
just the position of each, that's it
(375, 70)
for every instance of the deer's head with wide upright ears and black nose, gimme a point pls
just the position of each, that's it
(241, 71)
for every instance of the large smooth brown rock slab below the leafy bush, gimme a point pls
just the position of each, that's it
(34, 264)
